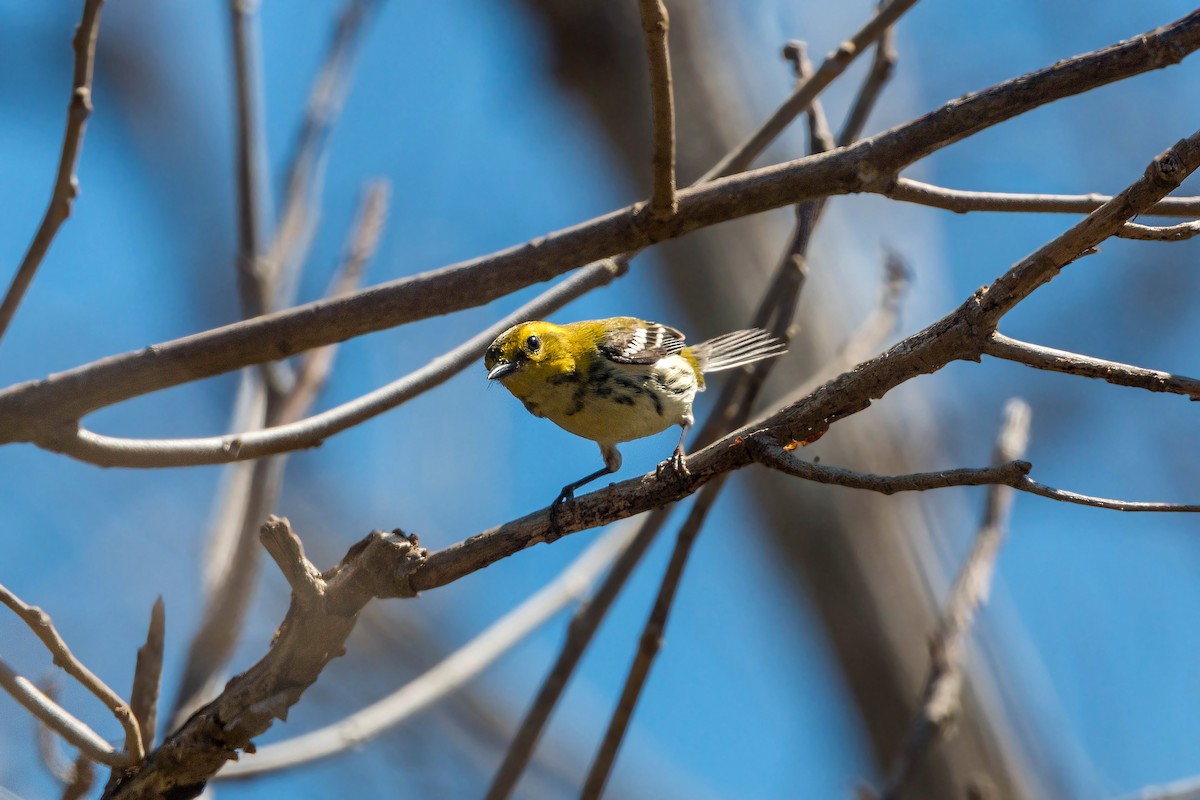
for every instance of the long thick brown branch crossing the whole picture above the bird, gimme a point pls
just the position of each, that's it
(28, 411)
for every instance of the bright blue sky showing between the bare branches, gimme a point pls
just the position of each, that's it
(1094, 616)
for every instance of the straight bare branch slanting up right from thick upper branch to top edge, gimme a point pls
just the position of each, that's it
(831, 69)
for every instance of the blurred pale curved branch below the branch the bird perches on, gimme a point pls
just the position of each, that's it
(447, 676)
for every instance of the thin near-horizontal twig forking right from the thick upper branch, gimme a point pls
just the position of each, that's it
(963, 202)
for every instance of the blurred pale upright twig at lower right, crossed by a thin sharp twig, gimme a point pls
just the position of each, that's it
(943, 693)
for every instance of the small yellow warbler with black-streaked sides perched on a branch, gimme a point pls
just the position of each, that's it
(614, 381)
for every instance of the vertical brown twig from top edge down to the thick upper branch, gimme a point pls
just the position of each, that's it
(656, 23)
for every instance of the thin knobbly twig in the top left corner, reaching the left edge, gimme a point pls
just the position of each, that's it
(67, 185)
